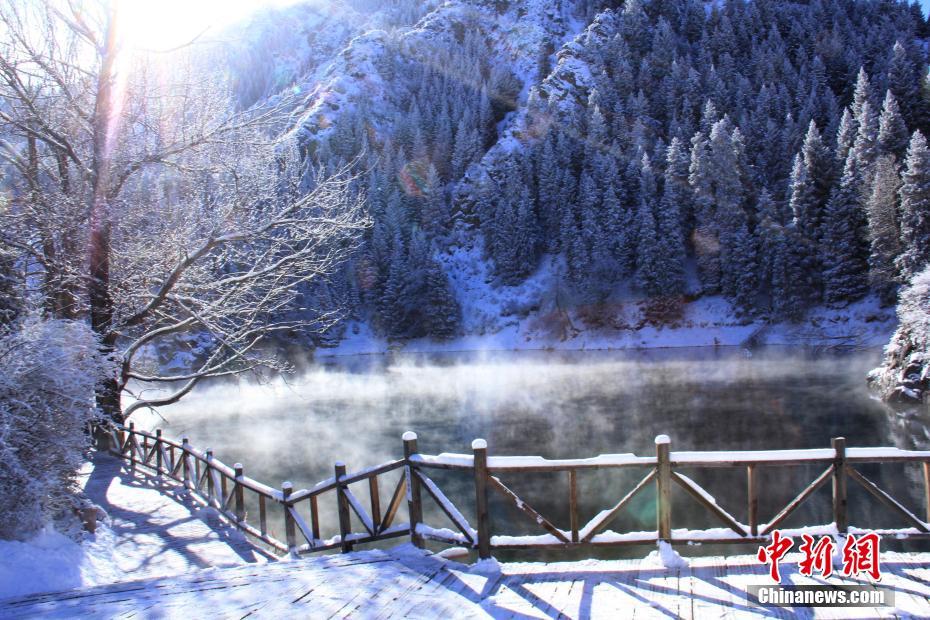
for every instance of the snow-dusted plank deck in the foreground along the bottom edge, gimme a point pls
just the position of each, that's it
(408, 583)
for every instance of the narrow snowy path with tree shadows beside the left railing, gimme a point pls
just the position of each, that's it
(158, 532)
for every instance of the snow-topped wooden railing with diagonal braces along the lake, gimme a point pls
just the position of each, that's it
(224, 488)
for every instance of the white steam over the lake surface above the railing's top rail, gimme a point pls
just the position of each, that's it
(552, 404)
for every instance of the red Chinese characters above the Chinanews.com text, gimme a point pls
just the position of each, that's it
(860, 555)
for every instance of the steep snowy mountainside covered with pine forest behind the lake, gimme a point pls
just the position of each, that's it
(608, 174)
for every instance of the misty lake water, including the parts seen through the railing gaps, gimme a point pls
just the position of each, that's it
(565, 405)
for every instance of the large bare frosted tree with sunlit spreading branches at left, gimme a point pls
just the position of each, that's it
(150, 205)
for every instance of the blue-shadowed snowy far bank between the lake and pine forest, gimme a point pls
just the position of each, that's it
(534, 315)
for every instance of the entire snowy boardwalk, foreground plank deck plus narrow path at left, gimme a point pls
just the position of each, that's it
(163, 542)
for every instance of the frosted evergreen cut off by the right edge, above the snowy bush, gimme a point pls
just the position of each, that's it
(915, 209)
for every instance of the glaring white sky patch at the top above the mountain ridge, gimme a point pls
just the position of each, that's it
(163, 24)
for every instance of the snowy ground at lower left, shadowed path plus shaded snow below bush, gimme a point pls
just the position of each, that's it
(146, 533)
